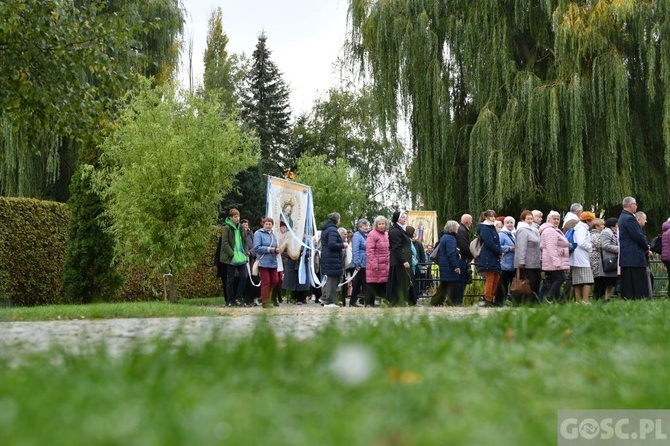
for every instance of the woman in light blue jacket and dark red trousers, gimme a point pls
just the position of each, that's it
(266, 247)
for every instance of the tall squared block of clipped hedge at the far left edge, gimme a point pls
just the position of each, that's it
(32, 247)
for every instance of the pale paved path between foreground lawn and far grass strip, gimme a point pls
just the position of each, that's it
(117, 335)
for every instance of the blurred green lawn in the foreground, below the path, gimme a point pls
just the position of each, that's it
(495, 380)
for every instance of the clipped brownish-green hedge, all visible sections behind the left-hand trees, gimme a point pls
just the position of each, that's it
(33, 241)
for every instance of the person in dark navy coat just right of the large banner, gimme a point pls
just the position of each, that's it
(332, 266)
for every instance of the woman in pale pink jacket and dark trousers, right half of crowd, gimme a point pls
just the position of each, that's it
(555, 256)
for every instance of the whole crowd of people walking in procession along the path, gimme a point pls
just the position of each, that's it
(529, 262)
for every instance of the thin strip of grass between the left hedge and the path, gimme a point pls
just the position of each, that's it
(185, 308)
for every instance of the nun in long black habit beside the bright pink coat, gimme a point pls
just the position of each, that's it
(400, 262)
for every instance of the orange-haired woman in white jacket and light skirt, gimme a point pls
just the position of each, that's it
(580, 263)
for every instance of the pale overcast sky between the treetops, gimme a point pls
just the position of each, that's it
(304, 36)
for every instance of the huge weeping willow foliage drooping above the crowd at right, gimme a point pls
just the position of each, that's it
(523, 101)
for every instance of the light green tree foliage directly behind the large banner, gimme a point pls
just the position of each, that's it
(334, 186)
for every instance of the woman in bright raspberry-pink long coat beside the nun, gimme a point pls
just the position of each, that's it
(377, 253)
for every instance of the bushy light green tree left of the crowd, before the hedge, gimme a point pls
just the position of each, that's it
(165, 169)
